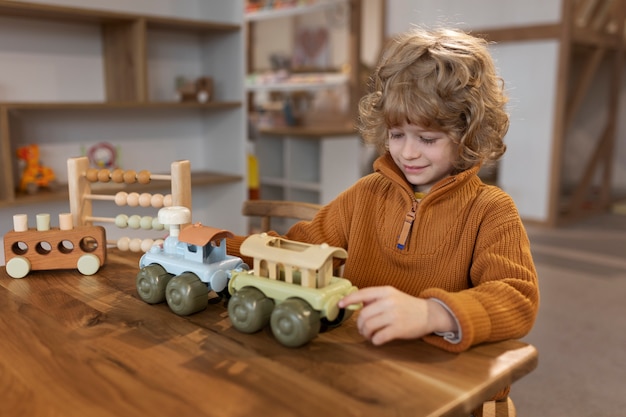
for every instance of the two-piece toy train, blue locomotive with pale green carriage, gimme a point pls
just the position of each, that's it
(291, 286)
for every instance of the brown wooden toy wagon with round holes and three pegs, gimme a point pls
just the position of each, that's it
(45, 248)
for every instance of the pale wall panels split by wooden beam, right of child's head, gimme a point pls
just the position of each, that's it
(529, 70)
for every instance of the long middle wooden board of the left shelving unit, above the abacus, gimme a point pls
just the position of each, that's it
(117, 105)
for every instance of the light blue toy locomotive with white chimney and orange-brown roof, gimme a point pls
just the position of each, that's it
(191, 262)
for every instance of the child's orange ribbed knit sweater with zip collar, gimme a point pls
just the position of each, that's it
(466, 247)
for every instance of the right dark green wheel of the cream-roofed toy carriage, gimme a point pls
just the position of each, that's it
(294, 322)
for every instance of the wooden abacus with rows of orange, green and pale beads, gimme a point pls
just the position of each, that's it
(81, 176)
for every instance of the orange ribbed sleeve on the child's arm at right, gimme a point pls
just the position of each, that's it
(504, 298)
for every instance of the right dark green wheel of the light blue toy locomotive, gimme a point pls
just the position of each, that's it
(186, 294)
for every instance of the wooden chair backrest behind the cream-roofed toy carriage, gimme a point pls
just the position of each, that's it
(267, 209)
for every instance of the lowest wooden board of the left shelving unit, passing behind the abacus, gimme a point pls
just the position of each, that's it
(200, 178)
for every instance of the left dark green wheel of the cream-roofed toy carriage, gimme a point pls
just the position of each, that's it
(249, 310)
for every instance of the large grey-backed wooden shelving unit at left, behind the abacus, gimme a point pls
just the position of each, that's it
(135, 50)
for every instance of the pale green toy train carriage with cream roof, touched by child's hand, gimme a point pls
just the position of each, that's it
(291, 287)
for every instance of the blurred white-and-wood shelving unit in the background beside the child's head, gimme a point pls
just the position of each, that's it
(316, 161)
